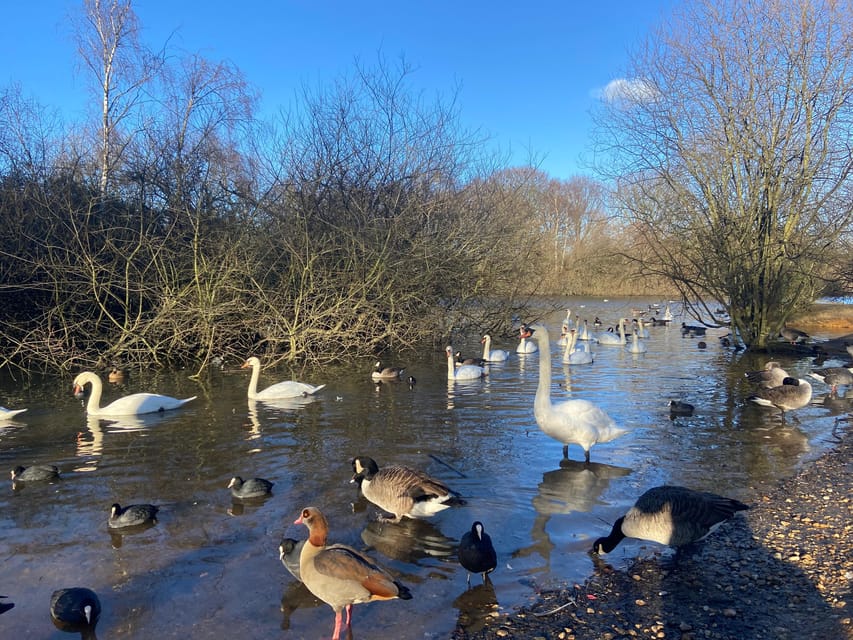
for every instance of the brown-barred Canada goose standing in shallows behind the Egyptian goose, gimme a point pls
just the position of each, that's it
(401, 490)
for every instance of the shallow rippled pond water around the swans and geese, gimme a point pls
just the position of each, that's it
(210, 568)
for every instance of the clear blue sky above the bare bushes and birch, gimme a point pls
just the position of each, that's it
(527, 73)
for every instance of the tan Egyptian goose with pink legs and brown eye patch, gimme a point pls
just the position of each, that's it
(339, 575)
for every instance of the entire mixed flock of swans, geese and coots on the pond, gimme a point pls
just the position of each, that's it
(342, 576)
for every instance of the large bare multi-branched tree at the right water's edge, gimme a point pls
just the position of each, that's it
(730, 143)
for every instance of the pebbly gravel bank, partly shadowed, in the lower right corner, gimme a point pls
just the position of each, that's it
(782, 570)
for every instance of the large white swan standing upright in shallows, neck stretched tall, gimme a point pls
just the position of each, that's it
(571, 421)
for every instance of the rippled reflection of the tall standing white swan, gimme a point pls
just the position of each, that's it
(575, 487)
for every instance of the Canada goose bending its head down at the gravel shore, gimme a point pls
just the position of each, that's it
(670, 515)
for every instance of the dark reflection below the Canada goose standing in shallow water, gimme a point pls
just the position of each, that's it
(408, 540)
